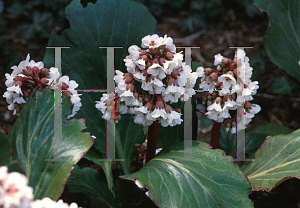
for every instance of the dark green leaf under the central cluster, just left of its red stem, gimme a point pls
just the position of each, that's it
(127, 134)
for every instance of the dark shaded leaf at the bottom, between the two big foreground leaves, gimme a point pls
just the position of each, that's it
(89, 182)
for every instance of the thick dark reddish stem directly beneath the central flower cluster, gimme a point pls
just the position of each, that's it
(152, 140)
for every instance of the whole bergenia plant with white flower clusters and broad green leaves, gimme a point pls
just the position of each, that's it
(43, 165)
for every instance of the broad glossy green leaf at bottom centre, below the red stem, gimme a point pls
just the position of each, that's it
(209, 179)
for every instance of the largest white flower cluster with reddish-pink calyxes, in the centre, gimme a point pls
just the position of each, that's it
(163, 77)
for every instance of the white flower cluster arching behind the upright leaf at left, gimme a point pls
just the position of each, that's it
(28, 75)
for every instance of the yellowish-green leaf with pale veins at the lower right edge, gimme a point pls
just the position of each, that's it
(277, 159)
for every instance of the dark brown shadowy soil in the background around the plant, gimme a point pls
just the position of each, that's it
(241, 30)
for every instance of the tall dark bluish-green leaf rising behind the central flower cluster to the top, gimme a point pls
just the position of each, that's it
(106, 23)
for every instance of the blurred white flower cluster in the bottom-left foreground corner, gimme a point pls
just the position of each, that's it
(15, 193)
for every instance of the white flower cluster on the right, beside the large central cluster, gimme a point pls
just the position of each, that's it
(233, 88)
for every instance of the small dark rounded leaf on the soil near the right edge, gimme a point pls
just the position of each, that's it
(281, 85)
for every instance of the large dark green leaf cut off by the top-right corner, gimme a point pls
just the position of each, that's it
(283, 36)
